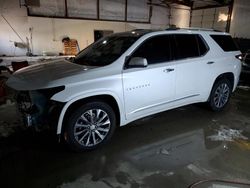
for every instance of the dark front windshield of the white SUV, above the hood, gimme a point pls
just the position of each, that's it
(105, 51)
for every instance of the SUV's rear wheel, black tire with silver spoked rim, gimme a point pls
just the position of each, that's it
(220, 95)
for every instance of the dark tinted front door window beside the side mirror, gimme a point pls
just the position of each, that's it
(155, 50)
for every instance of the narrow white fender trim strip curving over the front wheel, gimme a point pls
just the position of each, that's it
(86, 95)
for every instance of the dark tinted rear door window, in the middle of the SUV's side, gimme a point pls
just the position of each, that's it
(186, 46)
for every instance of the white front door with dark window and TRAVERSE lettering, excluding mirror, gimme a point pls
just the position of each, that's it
(150, 89)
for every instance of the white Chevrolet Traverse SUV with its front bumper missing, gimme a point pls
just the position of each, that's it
(127, 76)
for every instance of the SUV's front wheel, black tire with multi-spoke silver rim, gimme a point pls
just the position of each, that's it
(83, 131)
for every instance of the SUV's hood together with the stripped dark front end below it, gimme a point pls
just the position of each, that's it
(36, 86)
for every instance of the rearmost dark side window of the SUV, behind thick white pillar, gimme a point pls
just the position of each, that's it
(225, 42)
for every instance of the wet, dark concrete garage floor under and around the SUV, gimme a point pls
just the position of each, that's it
(172, 149)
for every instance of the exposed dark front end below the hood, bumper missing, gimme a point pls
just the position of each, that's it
(37, 108)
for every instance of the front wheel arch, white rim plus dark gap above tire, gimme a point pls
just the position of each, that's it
(79, 101)
